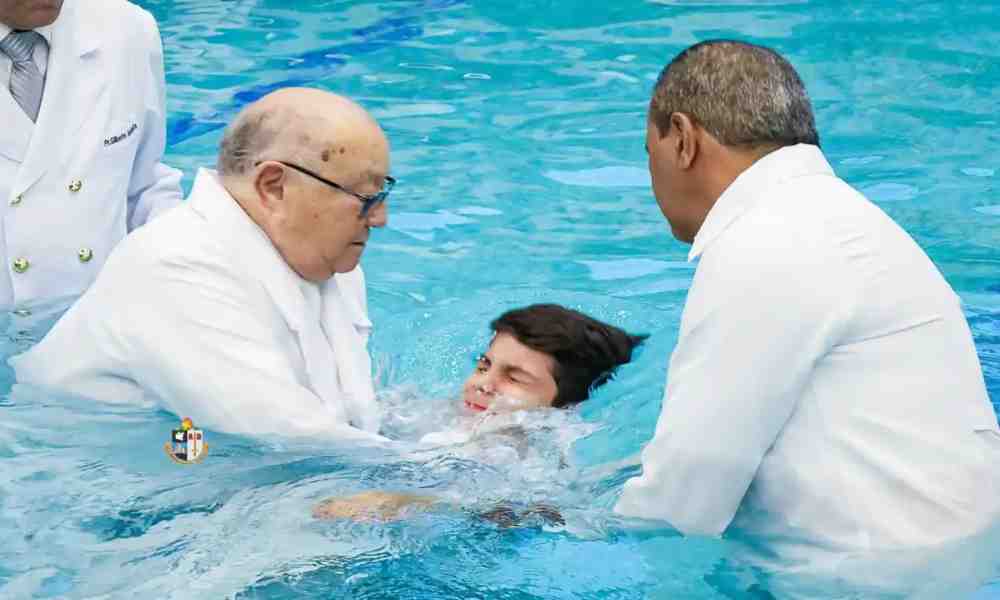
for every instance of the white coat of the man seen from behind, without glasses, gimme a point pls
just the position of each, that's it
(824, 388)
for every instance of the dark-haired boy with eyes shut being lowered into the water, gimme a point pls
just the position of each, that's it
(541, 356)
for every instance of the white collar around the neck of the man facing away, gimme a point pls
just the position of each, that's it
(747, 189)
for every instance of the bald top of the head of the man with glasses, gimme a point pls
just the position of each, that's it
(304, 125)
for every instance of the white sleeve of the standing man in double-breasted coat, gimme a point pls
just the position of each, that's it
(153, 186)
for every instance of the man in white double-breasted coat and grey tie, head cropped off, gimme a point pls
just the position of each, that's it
(82, 105)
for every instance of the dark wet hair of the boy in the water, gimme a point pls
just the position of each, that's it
(586, 351)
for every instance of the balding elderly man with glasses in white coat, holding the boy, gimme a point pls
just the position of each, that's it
(244, 308)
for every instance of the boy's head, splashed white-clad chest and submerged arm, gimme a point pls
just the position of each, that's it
(541, 357)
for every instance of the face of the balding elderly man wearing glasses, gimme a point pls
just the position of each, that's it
(323, 230)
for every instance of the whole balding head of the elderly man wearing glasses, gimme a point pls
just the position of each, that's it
(314, 219)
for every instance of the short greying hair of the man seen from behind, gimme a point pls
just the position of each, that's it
(746, 96)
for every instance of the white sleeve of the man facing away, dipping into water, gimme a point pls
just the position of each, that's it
(751, 332)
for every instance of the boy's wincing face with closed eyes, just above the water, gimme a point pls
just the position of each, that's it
(510, 376)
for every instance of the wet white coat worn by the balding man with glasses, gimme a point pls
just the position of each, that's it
(199, 313)
